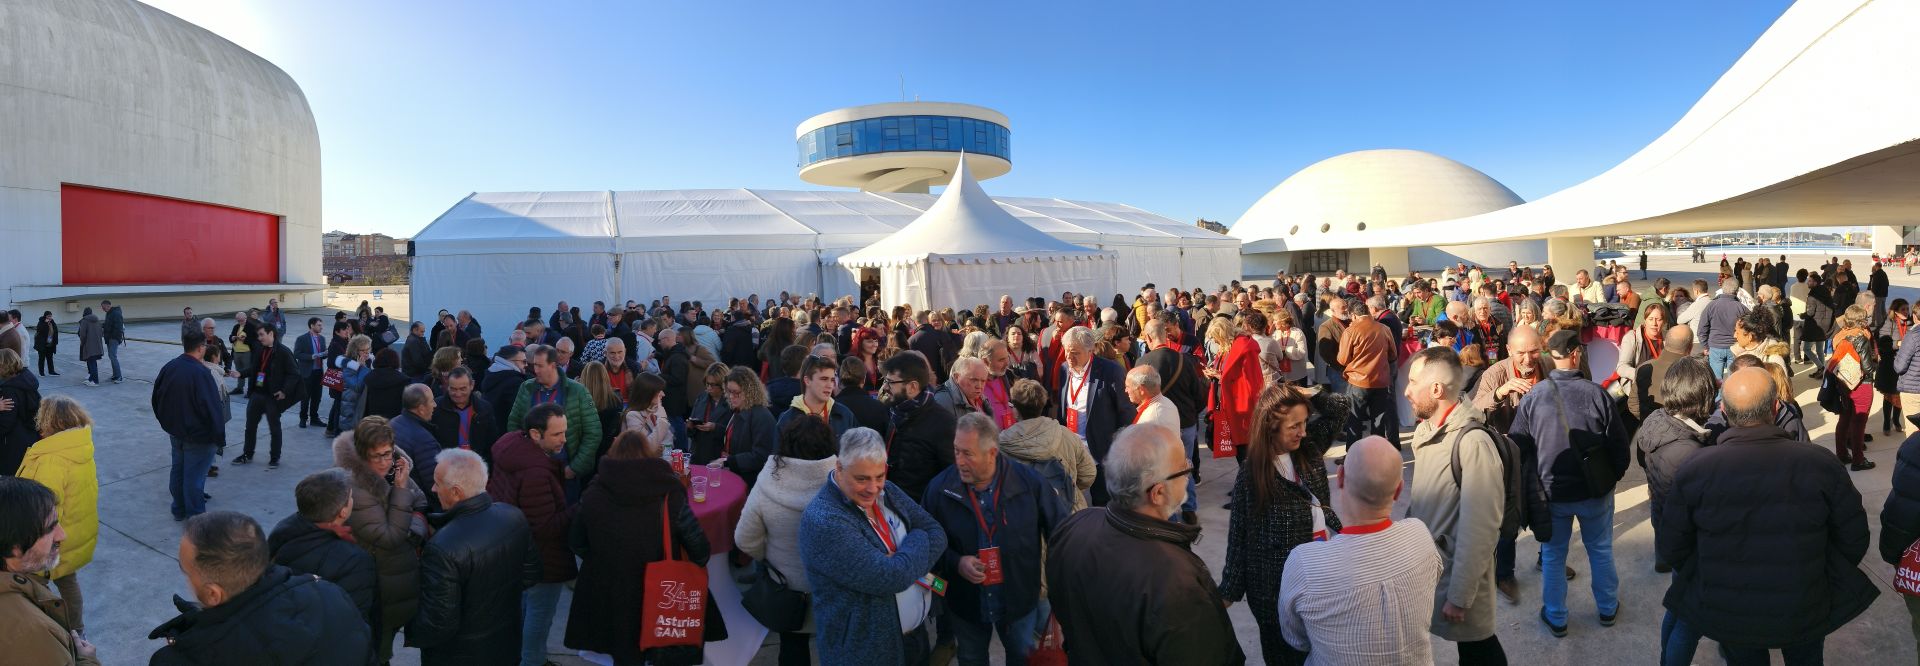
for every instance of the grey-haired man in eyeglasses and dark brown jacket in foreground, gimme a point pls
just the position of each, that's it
(1153, 600)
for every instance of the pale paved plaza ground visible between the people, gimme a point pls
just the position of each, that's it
(135, 571)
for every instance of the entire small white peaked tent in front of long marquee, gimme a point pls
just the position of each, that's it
(969, 250)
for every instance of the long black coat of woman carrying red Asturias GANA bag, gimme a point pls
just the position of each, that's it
(617, 536)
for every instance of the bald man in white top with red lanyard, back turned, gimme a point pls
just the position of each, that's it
(1370, 590)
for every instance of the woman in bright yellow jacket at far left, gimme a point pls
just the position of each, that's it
(64, 462)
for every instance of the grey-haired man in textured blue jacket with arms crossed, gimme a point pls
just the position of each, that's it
(869, 552)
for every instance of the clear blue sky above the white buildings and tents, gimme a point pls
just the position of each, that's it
(1182, 108)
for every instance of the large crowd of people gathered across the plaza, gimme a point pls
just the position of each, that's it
(923, 483)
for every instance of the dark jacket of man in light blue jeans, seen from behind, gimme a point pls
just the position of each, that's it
(1591, 416)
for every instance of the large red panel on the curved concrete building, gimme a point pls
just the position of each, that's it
(110, 237)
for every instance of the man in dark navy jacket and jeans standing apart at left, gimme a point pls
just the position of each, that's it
(189, 406)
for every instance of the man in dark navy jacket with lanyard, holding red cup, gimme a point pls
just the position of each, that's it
(996, 515)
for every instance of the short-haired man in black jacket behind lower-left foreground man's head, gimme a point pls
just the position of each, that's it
(310, 540)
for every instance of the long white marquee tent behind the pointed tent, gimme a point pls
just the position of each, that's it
(500, 252)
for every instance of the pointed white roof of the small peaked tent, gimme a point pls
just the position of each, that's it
(965, 226)
